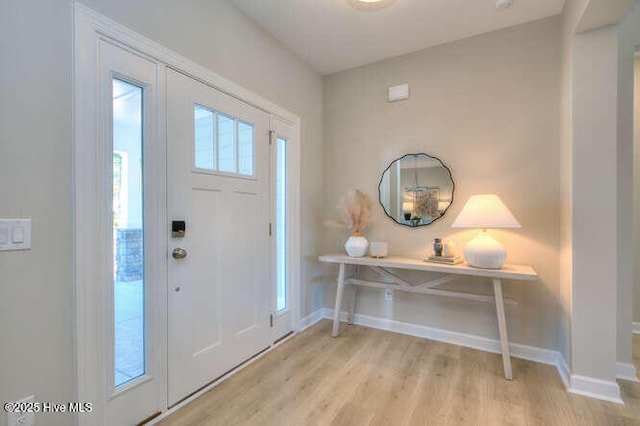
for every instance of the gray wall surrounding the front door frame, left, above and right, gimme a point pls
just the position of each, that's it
(36, 351)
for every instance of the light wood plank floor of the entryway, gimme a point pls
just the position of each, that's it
(372, 377)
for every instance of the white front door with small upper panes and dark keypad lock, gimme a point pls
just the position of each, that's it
(219, 270)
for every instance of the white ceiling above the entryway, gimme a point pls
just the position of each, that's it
(332, 36)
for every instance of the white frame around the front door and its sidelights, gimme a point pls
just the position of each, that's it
(89, 28)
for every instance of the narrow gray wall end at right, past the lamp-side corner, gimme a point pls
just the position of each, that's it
(594, 296)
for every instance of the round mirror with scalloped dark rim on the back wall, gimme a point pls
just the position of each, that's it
(416, 190)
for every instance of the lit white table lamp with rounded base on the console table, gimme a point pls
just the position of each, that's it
(484, 212)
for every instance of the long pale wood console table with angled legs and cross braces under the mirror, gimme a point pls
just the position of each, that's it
(449, 273)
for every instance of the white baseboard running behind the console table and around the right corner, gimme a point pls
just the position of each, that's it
(581, 385)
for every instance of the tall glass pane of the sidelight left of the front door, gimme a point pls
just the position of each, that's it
(128, 233)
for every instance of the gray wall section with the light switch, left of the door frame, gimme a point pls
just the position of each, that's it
(35, 174)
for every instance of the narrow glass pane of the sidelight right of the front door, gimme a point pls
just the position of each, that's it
(281, 224)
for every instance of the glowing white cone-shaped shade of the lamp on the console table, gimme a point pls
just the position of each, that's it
(485, 211)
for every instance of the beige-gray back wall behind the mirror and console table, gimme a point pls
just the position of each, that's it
(488, 106)
